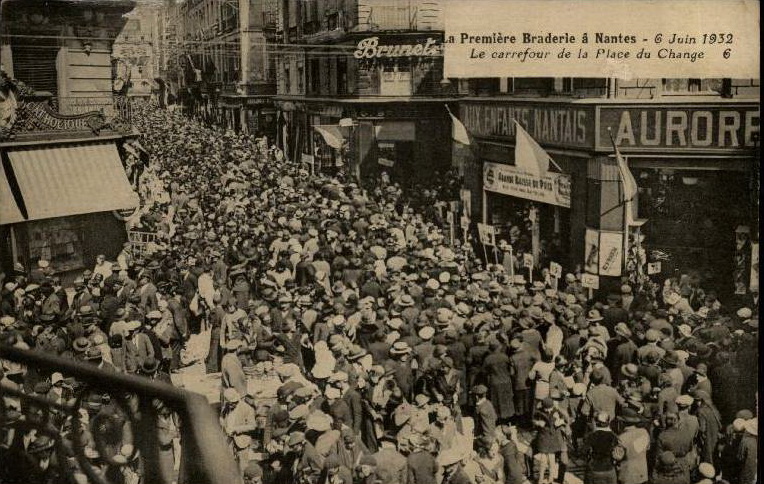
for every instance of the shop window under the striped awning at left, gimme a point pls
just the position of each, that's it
(56, 240)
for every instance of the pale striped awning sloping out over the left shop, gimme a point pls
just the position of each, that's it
(62, 180)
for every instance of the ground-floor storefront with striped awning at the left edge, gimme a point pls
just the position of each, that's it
(63, 192)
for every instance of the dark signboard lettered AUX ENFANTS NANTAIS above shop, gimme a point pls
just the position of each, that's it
(549, 124)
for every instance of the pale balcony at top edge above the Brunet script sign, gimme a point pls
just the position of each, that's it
(399, 15)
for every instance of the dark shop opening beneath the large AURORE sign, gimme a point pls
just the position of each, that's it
(692, 218)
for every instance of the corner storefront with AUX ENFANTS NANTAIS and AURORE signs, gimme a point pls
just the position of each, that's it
(688, 159)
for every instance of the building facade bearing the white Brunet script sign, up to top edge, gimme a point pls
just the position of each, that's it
(360, 87)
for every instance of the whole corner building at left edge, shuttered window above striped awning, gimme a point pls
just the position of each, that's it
(62, 178)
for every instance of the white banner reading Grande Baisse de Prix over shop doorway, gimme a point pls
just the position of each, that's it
(551, 188)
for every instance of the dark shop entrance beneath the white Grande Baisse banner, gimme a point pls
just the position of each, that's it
(511, 217)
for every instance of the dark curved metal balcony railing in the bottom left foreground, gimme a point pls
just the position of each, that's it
(86, 443)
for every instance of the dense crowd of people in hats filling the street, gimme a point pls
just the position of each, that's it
(358, 290)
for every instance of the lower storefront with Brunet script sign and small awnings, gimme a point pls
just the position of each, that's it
(388, 94)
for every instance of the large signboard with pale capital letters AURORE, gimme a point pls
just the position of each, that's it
(692, 128)
